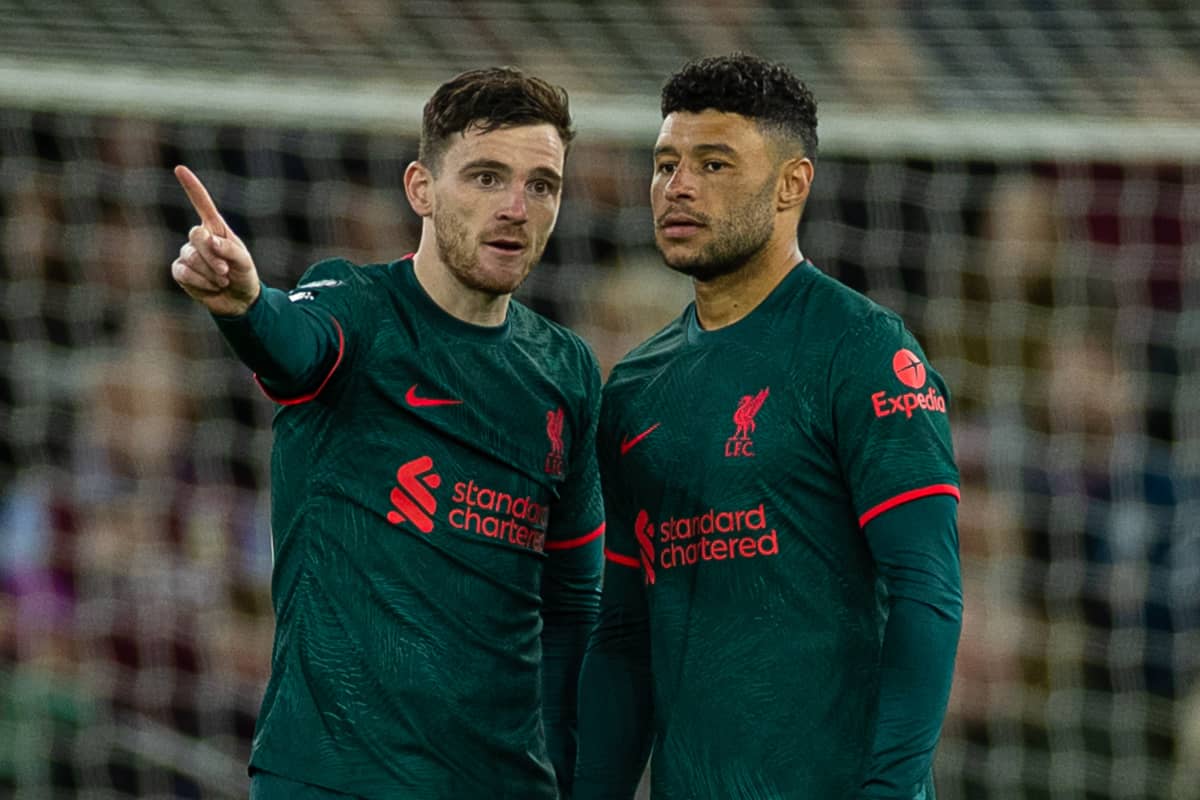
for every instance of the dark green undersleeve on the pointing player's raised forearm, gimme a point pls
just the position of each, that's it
(291, 348)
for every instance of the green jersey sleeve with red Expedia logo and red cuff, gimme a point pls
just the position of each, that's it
(891, 418)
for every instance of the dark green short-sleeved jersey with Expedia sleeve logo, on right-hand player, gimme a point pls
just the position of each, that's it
(740, 468)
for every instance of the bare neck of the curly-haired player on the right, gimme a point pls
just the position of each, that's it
(728, 299)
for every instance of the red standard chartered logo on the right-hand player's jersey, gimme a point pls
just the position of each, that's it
(710, 537)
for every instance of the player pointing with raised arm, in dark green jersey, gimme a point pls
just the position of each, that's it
(436, 502)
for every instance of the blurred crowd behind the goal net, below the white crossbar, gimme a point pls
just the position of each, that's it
(1058, 299)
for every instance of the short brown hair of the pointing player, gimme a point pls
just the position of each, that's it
(490, 99)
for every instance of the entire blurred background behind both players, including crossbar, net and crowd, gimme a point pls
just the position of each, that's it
(1019, 179)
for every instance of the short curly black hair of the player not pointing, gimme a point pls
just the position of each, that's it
(752, 87)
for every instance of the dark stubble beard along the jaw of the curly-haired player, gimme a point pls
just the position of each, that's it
(735, 240)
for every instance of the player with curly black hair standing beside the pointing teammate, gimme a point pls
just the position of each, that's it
(782, 599)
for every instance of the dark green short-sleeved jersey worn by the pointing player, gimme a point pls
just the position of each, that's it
(422, 496)
